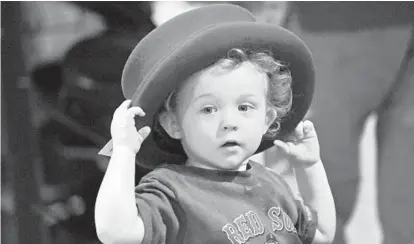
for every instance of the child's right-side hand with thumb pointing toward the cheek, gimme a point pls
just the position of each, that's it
(302, 148)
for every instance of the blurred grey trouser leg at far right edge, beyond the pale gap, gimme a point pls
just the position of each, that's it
(396, 165)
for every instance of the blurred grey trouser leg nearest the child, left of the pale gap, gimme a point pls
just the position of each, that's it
(354, 71)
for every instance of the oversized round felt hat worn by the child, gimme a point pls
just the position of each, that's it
(193, 41)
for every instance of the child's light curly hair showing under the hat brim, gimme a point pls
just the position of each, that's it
(279, 91)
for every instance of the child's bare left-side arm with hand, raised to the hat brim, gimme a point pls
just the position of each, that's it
(116, 214)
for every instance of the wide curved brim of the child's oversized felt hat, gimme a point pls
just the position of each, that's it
(203, 49)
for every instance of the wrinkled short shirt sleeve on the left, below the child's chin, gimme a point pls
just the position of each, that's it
(155, 203)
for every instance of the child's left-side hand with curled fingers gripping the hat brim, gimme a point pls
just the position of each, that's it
(123, 130)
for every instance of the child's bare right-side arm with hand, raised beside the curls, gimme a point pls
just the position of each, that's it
(304, 155)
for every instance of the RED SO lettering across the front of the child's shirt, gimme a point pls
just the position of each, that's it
(249, 225)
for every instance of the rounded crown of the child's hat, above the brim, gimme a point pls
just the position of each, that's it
(171, 34)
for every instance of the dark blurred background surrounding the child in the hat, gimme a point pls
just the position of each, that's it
(61, 68)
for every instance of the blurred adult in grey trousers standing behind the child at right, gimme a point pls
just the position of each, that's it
(363, 57)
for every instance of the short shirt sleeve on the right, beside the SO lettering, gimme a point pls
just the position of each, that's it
(306, 223)
